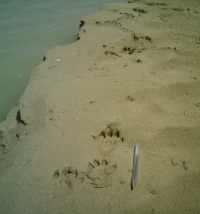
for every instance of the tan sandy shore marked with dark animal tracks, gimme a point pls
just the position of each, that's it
(132, 78)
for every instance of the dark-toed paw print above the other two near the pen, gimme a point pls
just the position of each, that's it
(109, 138)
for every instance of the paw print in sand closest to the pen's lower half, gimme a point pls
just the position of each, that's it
(100, 173)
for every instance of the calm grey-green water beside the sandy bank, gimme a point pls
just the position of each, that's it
(27, 29)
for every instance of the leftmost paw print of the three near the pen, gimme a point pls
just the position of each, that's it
(69, 176)
